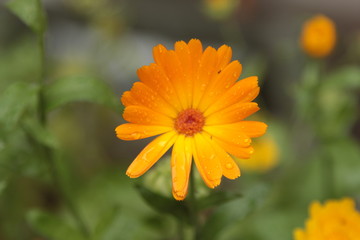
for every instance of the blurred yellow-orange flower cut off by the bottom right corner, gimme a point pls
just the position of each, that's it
(335, 220)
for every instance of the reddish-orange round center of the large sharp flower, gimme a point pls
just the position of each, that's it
(189, 122)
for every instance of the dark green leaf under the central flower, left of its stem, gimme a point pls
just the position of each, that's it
(163, 204)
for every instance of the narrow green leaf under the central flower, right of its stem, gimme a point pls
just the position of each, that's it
(216, 199)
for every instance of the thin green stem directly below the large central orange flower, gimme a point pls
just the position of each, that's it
(193, 206)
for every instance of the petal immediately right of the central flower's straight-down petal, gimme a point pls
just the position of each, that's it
(206, 162)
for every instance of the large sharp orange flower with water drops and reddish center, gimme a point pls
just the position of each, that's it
(192, 99)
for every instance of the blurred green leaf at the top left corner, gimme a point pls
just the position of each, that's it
(30, 12)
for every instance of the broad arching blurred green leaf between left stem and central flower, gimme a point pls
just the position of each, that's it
(79, 88)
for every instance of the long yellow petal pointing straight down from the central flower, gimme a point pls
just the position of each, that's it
(181, 166)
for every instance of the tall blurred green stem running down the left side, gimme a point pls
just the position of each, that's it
(48, 152)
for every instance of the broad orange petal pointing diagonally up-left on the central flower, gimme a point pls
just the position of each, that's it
(155, 78)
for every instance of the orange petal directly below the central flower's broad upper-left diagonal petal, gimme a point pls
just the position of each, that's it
(151, 99)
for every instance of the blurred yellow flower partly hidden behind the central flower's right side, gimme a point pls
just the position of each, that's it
(265, 157)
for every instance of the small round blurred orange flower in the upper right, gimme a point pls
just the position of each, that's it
(318, 36)
